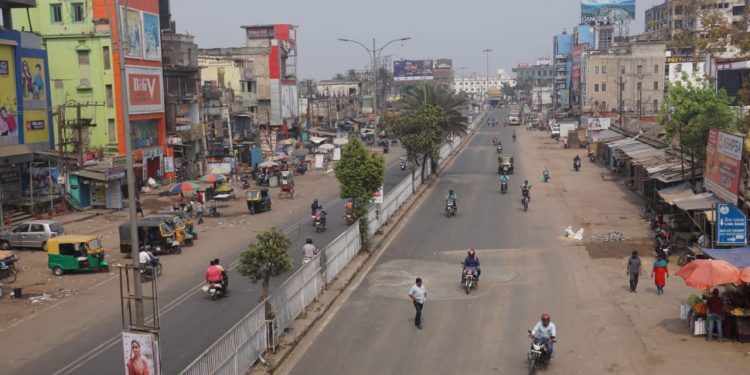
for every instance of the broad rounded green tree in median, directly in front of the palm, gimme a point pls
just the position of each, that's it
(422, 131)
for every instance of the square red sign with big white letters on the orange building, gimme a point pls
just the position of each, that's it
(144, 90)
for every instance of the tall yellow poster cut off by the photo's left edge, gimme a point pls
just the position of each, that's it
(8, 106)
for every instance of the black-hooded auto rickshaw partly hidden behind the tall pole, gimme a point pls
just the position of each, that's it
(156, 233)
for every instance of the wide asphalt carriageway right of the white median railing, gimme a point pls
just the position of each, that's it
(523, 275)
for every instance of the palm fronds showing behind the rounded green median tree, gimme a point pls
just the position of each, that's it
(418, 95)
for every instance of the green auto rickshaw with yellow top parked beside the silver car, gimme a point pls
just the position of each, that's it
(75, 253)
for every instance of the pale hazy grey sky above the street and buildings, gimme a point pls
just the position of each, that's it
(516, 30)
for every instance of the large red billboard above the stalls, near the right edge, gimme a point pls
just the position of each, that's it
(723, 164)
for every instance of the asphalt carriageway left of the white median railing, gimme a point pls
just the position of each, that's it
(190, 322)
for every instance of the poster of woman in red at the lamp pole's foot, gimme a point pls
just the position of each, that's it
(140, 353)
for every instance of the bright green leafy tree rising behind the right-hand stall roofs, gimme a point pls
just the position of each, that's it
(692, 110)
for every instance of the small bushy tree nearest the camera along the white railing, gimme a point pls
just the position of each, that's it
(266, 258)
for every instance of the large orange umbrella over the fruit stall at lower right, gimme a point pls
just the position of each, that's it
(706, 273)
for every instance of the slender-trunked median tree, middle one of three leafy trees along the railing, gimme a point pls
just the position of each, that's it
(360, 176)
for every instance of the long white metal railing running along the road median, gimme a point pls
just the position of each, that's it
(240, 347)
